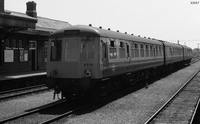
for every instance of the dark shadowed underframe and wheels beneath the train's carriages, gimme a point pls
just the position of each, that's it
(72, 88)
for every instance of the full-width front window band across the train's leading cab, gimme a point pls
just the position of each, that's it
(73, 49)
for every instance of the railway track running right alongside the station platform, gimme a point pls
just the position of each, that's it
(22, 91)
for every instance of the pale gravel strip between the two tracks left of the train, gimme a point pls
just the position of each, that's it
(18, 105)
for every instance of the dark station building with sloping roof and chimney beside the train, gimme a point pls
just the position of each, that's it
(23, 40)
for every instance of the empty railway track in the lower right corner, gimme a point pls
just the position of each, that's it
(182, 106)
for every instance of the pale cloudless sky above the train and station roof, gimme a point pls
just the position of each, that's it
(169, 20)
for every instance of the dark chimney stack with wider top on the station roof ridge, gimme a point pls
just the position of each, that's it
(31, 9)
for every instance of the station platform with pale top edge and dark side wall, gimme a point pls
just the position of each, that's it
(21, 80)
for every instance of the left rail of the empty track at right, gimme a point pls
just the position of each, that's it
(177, 92)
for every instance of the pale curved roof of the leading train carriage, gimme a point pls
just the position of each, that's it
(106, 33)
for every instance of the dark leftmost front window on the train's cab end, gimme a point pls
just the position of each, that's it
(56, 50)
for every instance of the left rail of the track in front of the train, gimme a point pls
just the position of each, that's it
(35, 110)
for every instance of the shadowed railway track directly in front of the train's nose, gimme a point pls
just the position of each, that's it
(46, 114)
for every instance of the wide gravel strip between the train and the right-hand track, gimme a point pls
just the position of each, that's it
(138, 106)
